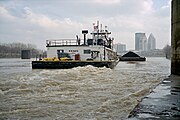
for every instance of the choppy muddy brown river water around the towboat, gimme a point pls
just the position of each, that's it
(82, 93)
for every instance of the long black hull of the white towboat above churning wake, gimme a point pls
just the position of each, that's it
(71, 64)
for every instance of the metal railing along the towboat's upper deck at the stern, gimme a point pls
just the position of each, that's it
(59, 42)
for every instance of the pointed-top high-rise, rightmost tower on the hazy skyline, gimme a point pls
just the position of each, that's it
(151, 42)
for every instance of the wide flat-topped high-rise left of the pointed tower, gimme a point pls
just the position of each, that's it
(140, 42)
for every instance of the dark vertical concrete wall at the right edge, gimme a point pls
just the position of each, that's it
(175, 37)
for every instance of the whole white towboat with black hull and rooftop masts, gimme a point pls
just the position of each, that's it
(68, 53)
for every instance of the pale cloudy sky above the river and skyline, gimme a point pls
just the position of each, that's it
(35, 21)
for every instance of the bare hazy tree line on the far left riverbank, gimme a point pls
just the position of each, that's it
(13, 50)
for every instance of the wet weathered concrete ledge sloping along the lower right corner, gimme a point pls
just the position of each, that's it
(162, 103)
